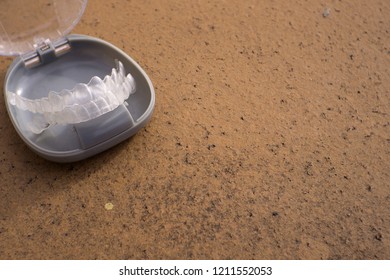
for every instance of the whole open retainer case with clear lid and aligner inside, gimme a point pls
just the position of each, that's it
(69, 97)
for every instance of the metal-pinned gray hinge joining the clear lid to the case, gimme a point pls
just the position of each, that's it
(46, 52)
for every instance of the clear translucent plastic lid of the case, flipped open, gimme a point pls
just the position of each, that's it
(24, 24)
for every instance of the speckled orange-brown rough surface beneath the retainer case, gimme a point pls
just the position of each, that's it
(270, 140)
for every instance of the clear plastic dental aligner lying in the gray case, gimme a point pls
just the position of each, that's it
(83, 103)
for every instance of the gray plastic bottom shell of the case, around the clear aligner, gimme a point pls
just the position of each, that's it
(88, 57)
